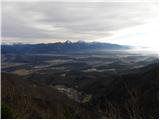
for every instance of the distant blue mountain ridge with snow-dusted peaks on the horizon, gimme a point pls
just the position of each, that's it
(60, 47)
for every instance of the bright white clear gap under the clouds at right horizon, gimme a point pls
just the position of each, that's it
(143, 36)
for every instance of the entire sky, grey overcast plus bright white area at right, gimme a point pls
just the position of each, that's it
(130, 22)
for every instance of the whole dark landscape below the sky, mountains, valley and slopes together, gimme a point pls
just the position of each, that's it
(91, 81)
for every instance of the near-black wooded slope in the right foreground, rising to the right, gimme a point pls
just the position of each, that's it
(133, 95)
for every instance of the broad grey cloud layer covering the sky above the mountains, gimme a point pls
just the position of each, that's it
(58, 21)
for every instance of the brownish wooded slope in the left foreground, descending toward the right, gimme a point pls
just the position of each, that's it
(28, 99)
